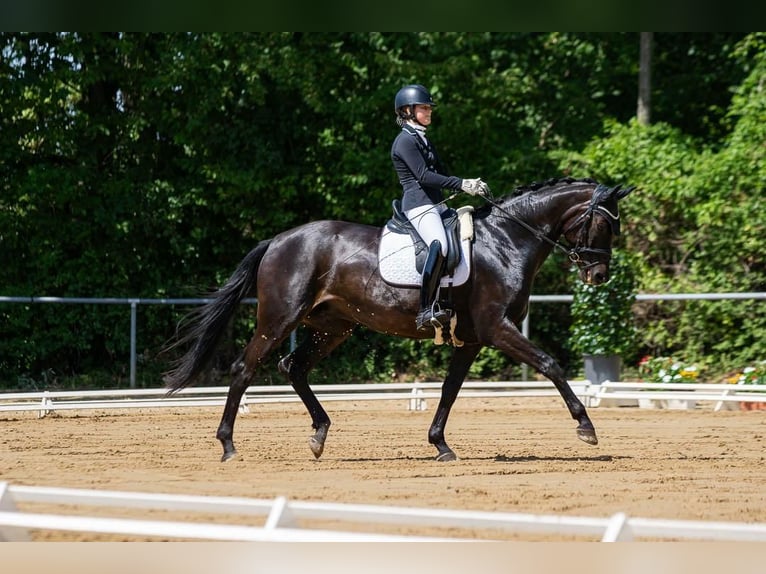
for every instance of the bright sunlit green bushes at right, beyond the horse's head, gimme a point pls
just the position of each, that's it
(694, 225)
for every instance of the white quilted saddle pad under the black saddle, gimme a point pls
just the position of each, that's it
(396, 256)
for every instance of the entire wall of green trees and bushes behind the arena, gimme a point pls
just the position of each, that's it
(148, 164)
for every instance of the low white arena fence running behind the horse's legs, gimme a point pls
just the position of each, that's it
(414, 395)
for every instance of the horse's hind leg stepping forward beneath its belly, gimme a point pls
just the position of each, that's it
(296, 367)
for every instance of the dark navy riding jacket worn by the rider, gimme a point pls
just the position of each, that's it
(420, 172)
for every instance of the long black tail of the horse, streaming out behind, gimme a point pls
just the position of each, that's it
(208, 323)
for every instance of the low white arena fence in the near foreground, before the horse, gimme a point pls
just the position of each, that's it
(283, 520)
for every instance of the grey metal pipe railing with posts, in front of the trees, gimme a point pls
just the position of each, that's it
(135, 302)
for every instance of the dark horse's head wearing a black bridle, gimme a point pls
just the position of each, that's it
(591, 231)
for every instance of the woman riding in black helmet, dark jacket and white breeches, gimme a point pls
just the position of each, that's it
(422, 177)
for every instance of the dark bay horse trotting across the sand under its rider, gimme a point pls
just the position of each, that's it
(324, 275)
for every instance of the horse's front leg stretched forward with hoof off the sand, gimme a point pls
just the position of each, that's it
(512, 342)
